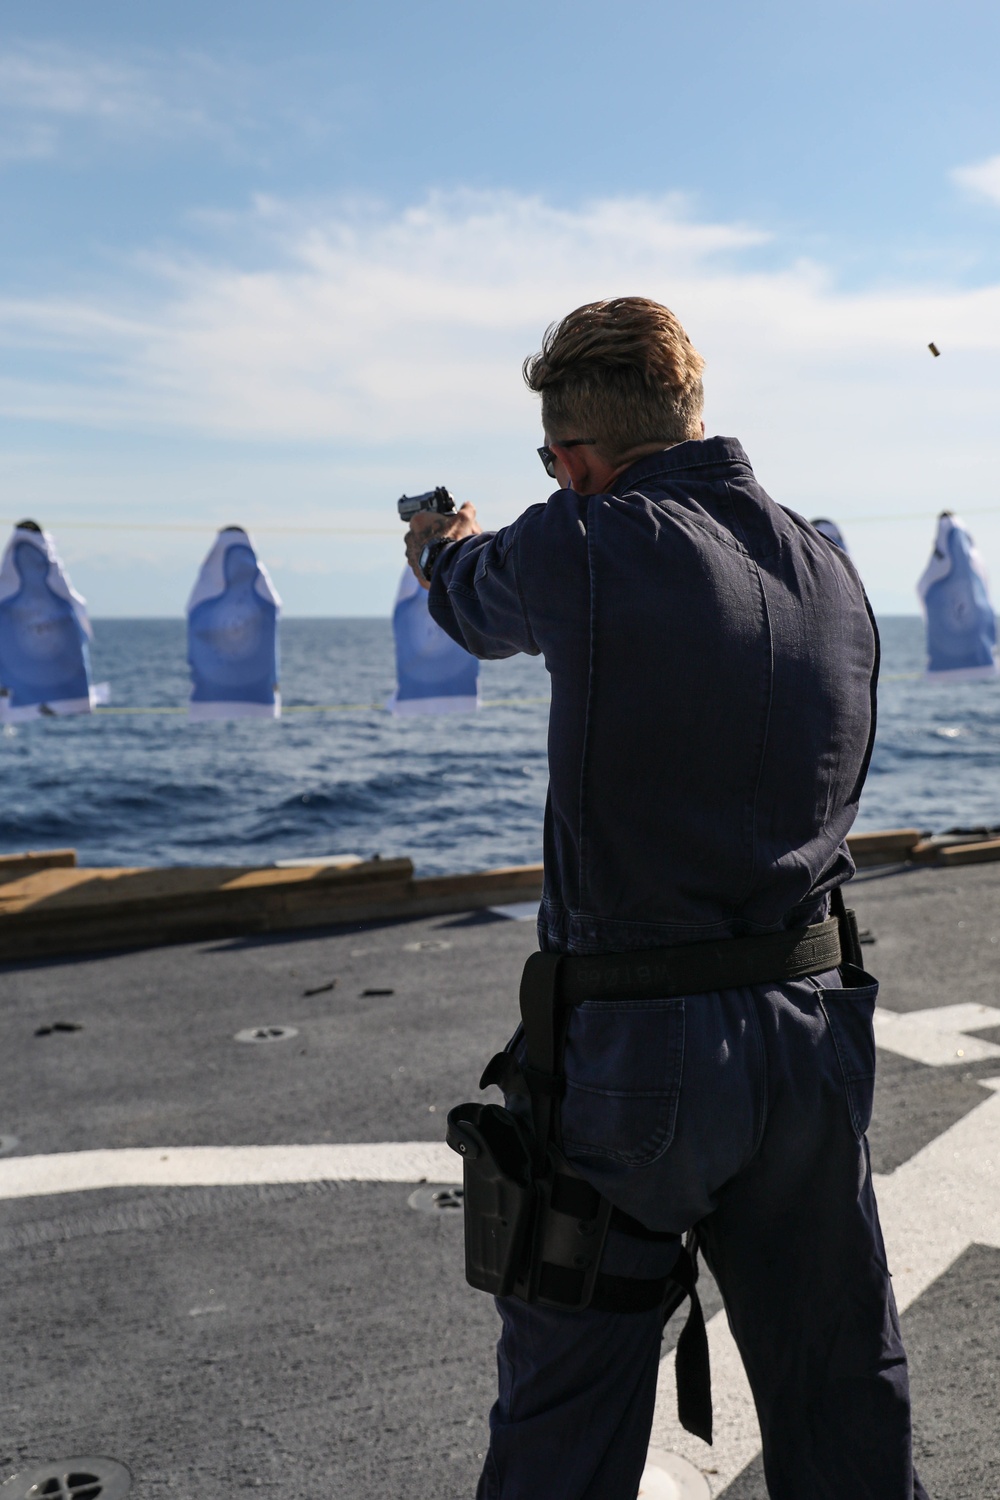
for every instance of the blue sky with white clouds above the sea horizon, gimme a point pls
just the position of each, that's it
(275, 265)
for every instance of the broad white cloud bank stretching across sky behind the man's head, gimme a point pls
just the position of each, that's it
(370, 325)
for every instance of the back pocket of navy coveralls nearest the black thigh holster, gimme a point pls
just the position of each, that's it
(623, 1066)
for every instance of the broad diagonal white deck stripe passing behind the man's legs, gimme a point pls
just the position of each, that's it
(933, 1208)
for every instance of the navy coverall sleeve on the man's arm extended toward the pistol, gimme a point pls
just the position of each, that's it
(478, 593)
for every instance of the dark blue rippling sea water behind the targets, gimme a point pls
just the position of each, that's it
(454, 794)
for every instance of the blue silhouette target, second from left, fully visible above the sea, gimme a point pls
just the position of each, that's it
(233, 634)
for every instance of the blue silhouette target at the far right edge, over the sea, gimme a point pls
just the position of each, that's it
(962, 629)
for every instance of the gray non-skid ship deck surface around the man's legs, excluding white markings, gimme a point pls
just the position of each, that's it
(319, 1340)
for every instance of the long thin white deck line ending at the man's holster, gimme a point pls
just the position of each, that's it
(226, 1166)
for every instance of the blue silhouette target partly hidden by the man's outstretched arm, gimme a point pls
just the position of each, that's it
(434, 674)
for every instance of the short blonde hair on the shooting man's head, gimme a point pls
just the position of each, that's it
(621, 373)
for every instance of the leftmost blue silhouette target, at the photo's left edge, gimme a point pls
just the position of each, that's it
(44, 632)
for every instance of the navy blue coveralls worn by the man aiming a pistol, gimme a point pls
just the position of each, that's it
(713, 667)
